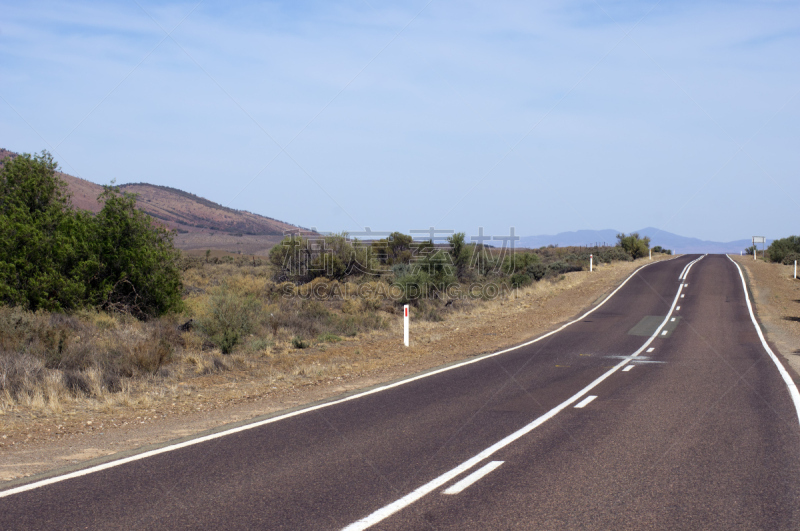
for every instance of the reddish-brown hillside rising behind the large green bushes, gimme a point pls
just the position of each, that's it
(177, 209)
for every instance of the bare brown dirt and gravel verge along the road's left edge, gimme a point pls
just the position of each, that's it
(34, 441)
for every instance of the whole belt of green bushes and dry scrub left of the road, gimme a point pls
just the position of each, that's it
(92, 304)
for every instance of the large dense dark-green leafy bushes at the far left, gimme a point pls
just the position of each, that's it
(55, 258)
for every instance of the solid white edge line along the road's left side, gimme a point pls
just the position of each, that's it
(198, 440)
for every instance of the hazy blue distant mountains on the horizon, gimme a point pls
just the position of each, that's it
(678, 244)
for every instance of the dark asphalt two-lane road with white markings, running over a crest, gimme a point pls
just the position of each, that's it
(700, 433)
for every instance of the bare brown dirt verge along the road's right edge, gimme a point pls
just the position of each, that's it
(777, 300)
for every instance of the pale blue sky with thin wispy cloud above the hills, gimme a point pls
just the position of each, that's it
(545, 117)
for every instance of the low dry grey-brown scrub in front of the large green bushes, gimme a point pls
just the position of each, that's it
(87, 354)
